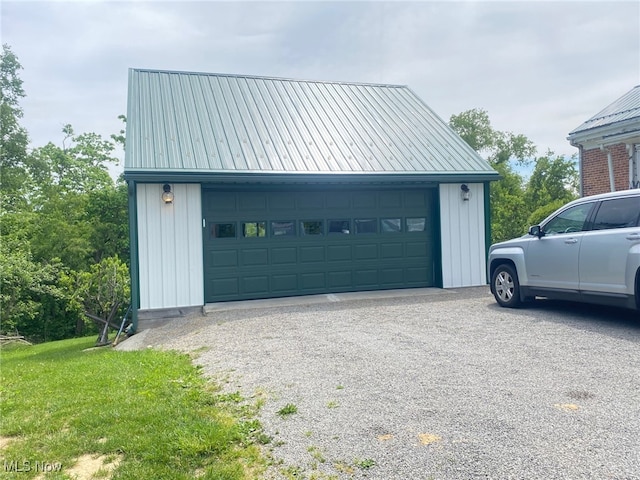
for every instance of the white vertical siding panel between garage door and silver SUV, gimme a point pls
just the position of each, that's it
(462, 230)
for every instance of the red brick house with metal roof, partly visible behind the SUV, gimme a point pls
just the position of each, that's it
(609, 146)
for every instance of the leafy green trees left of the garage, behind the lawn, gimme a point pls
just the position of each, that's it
(61, 217)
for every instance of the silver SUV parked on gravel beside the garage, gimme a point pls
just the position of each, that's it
(588, 251)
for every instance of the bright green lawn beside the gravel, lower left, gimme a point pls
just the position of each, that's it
(152, 410)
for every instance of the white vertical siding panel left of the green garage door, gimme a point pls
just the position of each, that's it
(170, 247)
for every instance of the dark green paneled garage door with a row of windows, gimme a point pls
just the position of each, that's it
(276, 244)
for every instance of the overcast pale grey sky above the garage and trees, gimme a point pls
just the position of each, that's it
(539, 68)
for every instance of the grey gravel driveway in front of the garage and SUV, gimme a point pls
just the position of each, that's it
(431, 386)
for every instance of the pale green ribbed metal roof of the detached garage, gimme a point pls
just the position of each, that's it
(197, 125)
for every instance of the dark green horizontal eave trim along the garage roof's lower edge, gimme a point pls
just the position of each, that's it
(156, 176)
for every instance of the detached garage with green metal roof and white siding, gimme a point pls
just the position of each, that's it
(249, 187)
